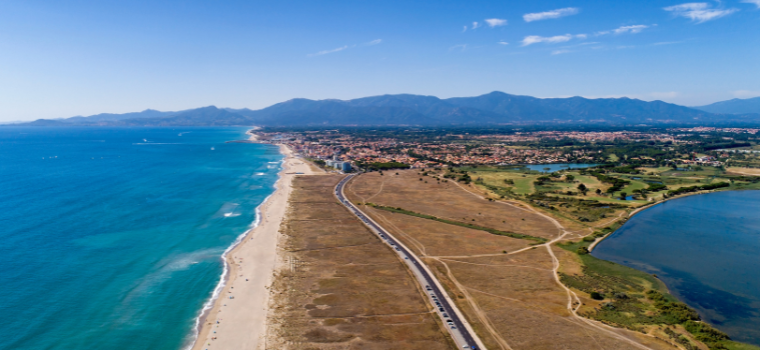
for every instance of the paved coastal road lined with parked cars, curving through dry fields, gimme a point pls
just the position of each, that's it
(454, 321)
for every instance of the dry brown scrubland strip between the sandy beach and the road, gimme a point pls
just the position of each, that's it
(340, 287)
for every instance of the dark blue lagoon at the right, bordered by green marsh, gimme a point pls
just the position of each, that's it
(706, 248)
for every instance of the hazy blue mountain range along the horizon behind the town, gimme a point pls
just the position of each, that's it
(495, 108)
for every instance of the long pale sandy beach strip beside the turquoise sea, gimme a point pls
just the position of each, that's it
(237, 319)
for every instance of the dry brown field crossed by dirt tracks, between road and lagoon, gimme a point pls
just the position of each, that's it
(514, 299)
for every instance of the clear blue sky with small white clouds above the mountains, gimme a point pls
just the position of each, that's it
(65, 58)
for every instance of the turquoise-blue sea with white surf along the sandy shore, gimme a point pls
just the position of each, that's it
(110, 238)
